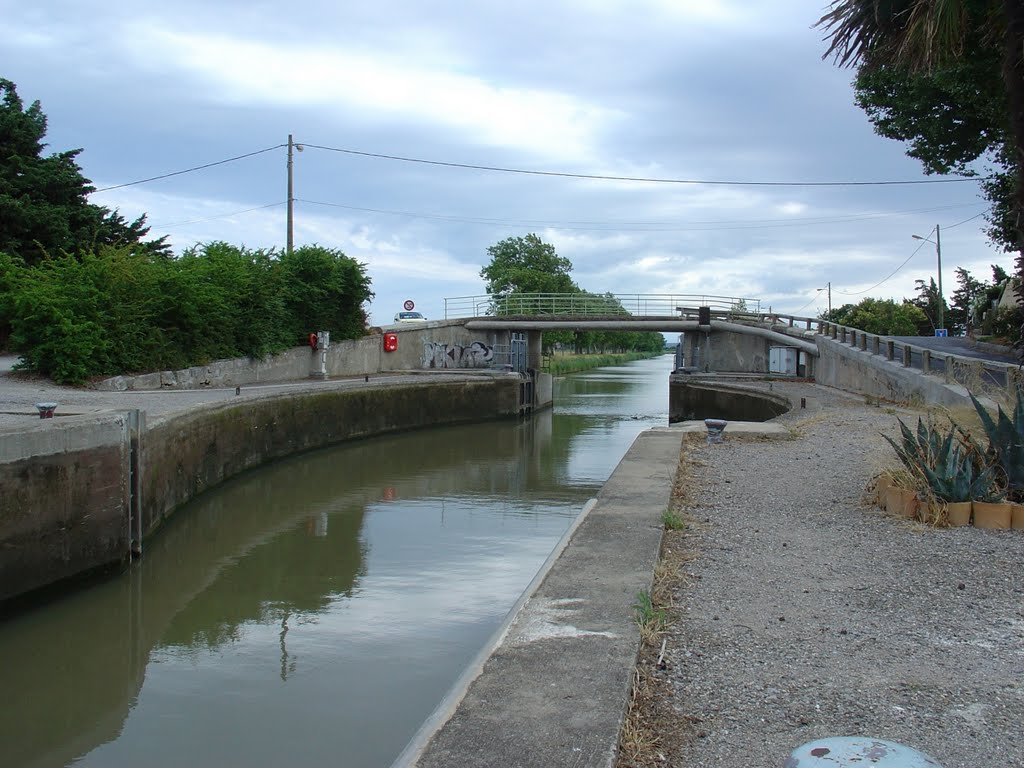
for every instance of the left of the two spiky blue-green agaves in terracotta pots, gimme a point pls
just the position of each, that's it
(955, 470)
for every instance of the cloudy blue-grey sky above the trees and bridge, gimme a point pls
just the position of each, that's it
(698, 91)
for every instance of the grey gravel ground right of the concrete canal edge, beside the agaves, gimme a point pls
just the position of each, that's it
(807, 614)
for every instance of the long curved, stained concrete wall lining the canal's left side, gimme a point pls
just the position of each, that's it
(83, 492)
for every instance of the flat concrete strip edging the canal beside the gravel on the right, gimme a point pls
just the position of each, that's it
(554, 690)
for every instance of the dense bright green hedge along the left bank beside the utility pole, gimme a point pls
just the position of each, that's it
(117, 311)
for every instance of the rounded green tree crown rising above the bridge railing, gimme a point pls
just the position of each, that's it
(527, 266)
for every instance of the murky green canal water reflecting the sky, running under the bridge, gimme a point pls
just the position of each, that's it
(316, 612)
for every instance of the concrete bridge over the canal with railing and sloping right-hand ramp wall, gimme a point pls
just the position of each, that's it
(737, 335)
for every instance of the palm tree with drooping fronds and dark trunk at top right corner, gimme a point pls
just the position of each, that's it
(928, 35)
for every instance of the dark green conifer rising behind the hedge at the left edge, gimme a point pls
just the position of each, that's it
(45, 208)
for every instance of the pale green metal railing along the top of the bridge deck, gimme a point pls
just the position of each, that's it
(649, 306)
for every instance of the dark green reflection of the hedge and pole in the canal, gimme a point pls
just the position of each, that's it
(296, 573)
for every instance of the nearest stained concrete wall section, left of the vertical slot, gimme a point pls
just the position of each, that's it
(65, 501)
